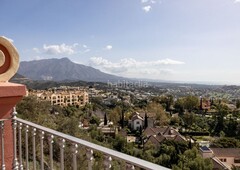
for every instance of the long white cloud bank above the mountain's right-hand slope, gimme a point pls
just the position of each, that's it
(132, 68)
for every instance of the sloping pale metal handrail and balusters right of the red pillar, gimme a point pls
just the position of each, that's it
(130, 162)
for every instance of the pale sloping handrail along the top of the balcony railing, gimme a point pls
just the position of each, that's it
(115, 154)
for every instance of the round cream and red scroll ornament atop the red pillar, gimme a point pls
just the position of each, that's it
(9, 60)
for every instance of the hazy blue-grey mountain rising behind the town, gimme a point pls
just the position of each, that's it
(63, 70)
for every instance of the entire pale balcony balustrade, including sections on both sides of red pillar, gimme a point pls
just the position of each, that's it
(38, 147)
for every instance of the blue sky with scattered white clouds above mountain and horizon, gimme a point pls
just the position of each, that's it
(177, 40)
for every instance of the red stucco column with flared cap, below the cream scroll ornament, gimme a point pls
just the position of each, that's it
(10, 95)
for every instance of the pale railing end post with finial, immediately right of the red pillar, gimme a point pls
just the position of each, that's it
(14, 125)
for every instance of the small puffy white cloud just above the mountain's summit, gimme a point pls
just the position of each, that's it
(59, 49)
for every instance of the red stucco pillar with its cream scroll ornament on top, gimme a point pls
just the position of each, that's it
(10, 94)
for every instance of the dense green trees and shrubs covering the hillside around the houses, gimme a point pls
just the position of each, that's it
(223, 126)
